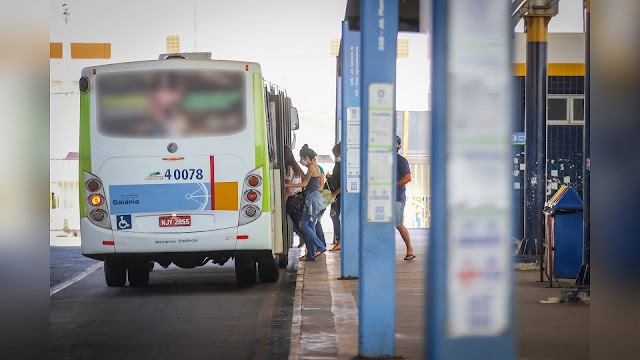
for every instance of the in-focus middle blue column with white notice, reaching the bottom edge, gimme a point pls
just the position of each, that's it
(379, 33)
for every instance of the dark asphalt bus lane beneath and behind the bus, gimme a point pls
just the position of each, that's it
(196, 313)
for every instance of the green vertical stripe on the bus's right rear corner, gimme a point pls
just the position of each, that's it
(262, 156)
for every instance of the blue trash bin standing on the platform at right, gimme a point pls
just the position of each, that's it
(564, 230)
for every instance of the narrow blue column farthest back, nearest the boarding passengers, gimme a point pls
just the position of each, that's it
(350, 181)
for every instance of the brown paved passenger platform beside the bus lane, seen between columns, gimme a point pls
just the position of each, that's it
(325, 314)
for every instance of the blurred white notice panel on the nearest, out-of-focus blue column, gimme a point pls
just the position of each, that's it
(478, 194)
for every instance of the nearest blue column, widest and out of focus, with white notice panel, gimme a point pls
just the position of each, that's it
(470, 284)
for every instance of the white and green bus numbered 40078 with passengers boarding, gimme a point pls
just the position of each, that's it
(180, 162)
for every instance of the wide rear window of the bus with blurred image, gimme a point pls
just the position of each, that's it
(171, 103)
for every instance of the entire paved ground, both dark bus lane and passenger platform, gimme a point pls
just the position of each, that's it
(202, 313)
